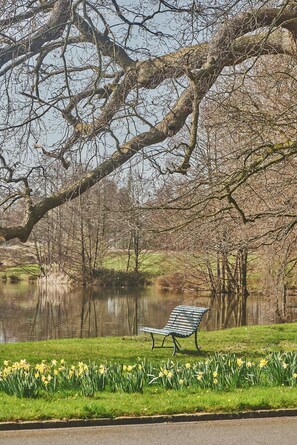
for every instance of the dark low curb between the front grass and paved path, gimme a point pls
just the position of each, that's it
(23, 425)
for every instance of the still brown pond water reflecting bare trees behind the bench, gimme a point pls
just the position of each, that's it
(30, 312)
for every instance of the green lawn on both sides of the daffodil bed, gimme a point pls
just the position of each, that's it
(246, 342)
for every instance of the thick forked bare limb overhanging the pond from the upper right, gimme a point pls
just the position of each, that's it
(204, 61)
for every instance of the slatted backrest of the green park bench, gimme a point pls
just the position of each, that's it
(185, 318)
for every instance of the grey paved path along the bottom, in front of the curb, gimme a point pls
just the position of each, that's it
(269, 431)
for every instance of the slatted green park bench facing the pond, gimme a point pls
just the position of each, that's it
(183, 322)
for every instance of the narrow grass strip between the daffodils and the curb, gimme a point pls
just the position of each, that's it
(149, 403)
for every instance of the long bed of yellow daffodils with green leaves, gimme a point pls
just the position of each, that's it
(219, 372)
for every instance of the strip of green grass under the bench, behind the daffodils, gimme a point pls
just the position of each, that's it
(252, 342)
